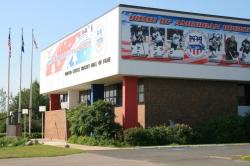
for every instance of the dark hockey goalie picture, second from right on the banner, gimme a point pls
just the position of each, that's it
(232, 53)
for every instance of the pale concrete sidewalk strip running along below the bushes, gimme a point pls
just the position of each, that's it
(60, 143)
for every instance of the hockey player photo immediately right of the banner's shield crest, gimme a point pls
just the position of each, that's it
(215, 47)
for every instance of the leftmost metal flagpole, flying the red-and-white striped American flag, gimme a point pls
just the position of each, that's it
(8, 88)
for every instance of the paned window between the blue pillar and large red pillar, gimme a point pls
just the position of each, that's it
(113, 93)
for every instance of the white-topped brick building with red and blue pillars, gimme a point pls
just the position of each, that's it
(155, 66)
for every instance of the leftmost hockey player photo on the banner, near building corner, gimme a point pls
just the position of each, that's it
(138, 35)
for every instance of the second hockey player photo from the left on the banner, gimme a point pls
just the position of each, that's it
(157, 41)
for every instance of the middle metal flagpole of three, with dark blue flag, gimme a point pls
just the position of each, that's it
(20, 85)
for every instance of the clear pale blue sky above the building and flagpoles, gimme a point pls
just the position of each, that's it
(55, 19)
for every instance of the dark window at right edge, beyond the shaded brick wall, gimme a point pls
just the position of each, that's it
(244, 95)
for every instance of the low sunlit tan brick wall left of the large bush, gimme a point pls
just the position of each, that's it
(55, 125)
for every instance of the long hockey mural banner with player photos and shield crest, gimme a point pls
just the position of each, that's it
(151, 37)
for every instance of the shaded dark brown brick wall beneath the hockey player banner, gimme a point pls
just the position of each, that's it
(187, 101)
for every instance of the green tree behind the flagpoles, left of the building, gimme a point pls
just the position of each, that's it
(37, 100)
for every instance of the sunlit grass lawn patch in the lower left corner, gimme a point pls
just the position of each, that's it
(36, 151)
